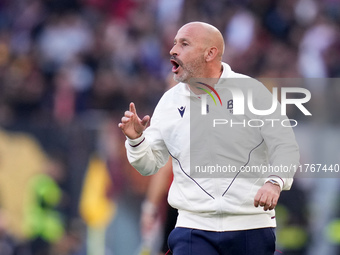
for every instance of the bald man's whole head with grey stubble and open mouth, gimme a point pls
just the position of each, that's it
(197, 52)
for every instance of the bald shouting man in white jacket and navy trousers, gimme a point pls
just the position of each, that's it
(216, 215)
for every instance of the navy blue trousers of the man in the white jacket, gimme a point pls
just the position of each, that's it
(186, 241)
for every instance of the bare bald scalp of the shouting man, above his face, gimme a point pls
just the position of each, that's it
(209, 35)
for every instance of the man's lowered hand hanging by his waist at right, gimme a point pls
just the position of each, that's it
(267, 196)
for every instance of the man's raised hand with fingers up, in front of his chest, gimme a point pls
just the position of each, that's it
(131, 125)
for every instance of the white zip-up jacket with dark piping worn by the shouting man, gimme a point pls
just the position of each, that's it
(211, 201)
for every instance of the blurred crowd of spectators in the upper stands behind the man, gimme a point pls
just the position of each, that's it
(61, 58)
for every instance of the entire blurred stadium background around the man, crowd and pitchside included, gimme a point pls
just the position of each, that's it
(69, 68)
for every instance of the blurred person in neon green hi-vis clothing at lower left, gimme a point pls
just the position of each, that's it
(44, 220)
